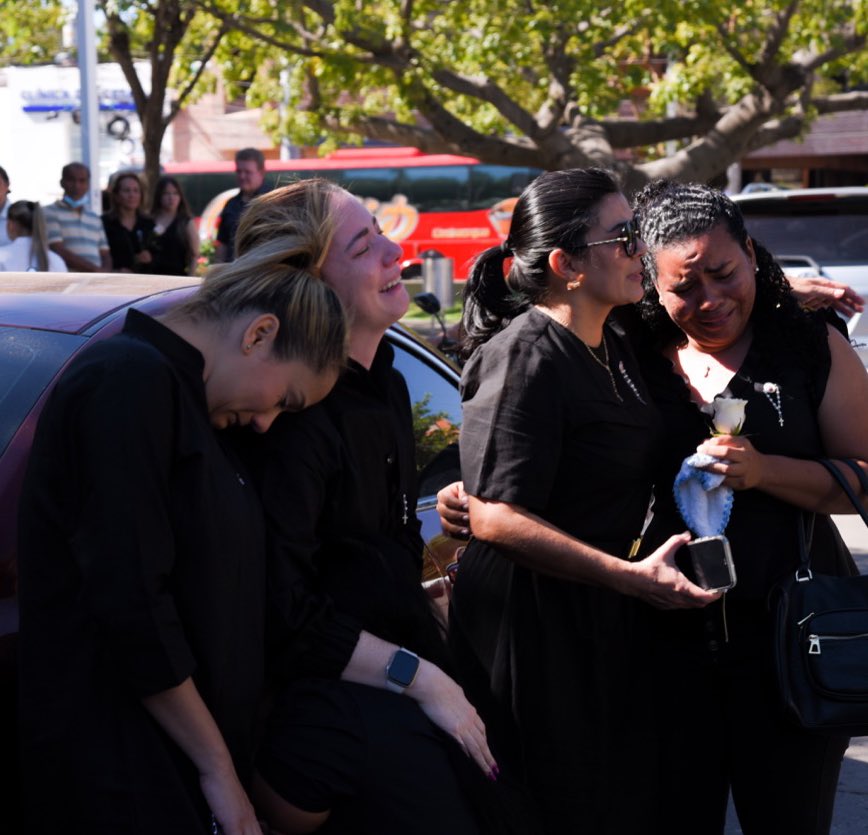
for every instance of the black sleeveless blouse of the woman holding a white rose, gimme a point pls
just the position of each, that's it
(762, 529)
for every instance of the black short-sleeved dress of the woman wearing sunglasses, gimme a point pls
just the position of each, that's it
(544, 429)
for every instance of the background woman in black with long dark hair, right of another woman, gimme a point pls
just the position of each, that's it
(174, 243)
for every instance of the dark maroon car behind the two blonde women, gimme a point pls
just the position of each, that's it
(47, 319)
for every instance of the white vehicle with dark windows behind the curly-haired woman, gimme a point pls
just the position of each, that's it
(814, 231)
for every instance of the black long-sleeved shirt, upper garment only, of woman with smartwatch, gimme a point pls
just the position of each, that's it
(339, 488)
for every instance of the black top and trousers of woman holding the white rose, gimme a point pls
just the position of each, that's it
(717, 697)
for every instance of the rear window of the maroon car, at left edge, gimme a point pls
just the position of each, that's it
(28, 361)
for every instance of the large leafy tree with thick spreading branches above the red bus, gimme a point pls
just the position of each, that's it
(523, 82)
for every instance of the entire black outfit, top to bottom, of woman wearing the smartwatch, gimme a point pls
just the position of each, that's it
(338, 483)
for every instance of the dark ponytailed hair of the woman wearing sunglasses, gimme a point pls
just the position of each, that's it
(555, 211)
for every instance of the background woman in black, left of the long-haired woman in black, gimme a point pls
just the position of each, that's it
(127, 229)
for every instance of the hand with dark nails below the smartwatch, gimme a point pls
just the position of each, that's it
(445, 704)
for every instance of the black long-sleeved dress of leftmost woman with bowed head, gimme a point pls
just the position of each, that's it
(142, 562)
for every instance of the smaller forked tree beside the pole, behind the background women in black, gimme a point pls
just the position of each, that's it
(178, 41)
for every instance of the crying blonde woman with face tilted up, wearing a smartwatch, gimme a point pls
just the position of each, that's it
(348, 613)
